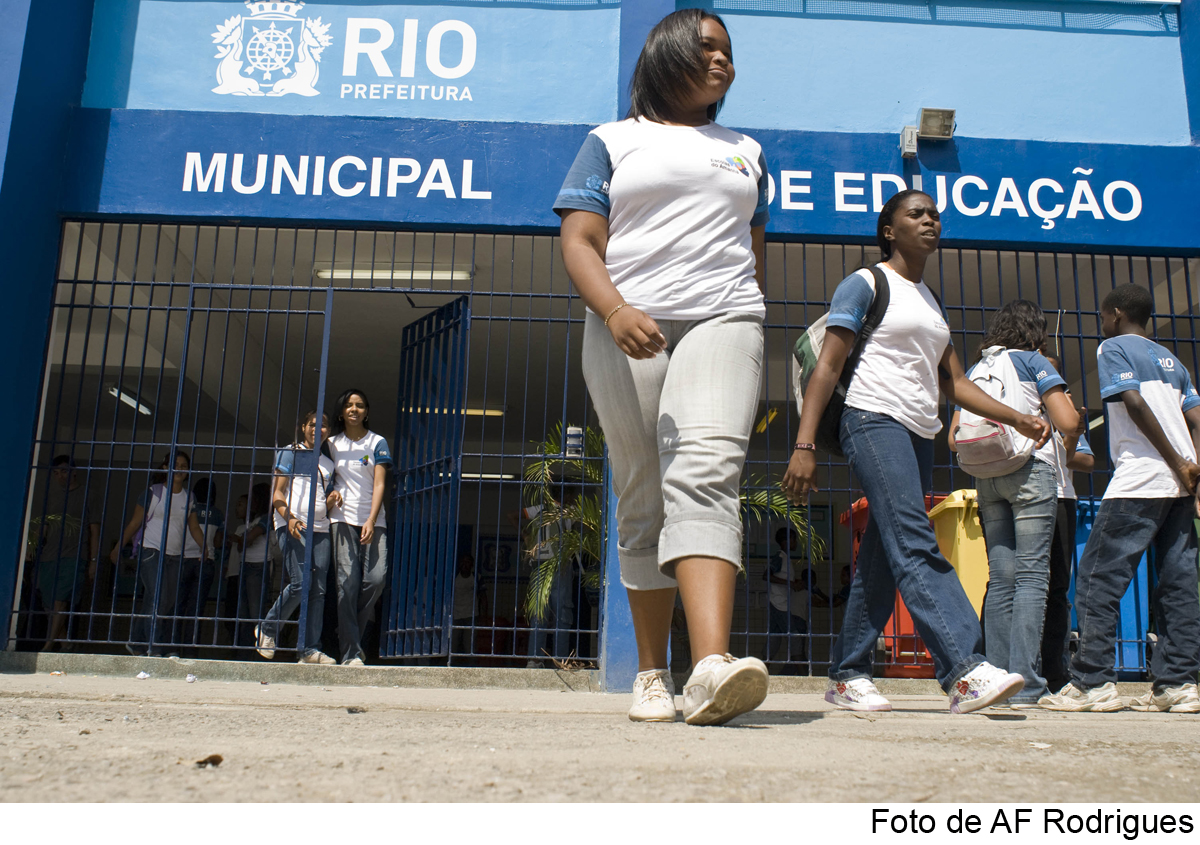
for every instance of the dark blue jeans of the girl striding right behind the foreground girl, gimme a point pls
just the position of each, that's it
(899, 550)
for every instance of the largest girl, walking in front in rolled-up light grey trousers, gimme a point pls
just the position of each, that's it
(663, 237)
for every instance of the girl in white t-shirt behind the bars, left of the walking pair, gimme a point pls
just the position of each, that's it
(161, 518)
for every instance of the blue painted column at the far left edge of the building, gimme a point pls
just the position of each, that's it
(44, 53)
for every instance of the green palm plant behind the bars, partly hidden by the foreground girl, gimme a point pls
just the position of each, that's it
(554, 546)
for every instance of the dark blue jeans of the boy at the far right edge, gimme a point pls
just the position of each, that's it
(1123, 532)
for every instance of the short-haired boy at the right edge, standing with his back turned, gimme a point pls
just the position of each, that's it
(1154, 417)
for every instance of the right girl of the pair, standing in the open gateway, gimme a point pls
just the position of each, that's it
(358, 522)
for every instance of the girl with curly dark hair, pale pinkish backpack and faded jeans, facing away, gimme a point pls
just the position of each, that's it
(1019, 494)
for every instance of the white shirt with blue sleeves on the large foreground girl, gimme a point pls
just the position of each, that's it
(681, 202)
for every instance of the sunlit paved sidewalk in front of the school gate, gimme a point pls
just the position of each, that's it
(75, 738)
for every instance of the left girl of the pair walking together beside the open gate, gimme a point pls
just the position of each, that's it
(293, 498)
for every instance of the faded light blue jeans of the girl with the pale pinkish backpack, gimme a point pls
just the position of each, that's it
(1018, 514)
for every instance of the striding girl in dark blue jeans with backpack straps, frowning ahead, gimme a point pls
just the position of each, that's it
(887, 432)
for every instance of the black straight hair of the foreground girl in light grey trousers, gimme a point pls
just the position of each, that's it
(669, 65)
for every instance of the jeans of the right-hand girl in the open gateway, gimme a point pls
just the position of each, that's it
(361, 574)
